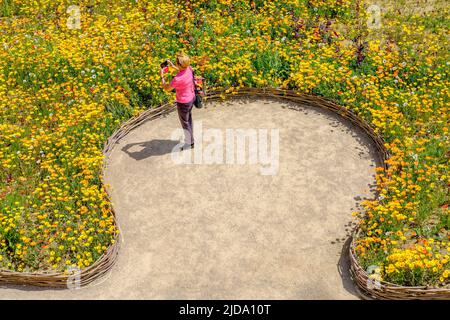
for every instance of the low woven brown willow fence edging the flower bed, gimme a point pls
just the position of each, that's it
(368, 288)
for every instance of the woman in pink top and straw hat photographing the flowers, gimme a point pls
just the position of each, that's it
(183, 83)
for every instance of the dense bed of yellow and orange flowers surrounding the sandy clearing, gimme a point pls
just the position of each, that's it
(64, 90)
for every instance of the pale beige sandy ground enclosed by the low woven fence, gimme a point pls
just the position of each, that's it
(226, 231)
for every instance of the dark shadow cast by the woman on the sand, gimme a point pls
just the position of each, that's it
(150, 148)
